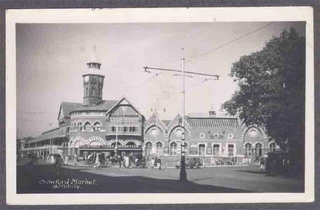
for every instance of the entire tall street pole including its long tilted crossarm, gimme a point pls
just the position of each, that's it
(183, 173)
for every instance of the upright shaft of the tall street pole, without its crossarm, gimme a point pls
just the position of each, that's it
(183, 174)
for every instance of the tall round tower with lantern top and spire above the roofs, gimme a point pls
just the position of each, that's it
(92, 82)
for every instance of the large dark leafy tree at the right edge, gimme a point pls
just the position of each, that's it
(272, 90)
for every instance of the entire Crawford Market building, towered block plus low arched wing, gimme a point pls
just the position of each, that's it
(117, 126)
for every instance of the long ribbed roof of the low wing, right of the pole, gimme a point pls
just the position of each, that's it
(215, 122)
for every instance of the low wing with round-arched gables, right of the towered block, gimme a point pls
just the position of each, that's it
(207, 136)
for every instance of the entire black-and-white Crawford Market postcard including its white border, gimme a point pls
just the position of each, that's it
(179, 107)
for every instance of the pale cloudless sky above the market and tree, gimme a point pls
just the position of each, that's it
(51, 59)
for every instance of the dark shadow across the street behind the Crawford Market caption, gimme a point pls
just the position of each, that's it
(42, 179)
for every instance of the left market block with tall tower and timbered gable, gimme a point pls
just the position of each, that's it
(106, 126)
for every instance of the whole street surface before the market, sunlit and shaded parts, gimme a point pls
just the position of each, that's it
(41, 179)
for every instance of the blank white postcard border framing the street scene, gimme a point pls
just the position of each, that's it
(155, 15)
